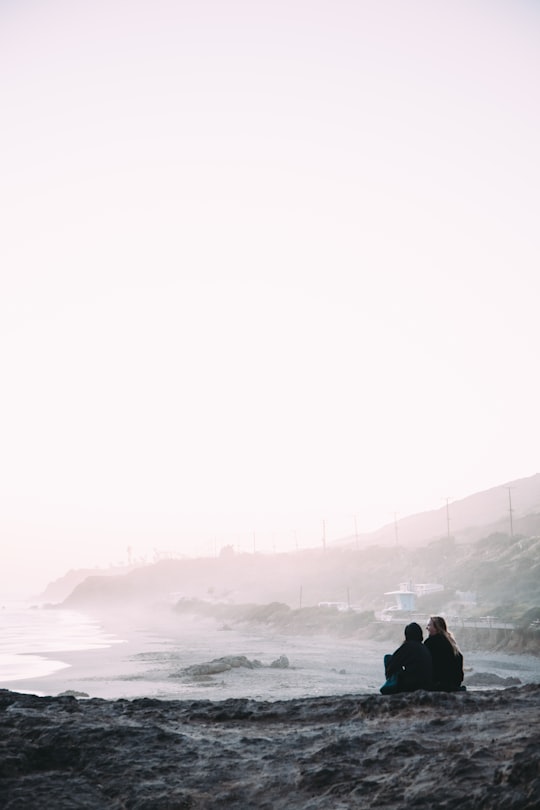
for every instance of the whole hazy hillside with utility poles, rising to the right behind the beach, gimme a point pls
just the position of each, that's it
(500, 568)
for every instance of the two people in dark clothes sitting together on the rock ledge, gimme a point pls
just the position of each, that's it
(435, 664)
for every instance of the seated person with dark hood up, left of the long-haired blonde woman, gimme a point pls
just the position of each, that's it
(409, 668)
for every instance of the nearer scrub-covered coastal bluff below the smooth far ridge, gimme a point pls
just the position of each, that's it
(503, 572)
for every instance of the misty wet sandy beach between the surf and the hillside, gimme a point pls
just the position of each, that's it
(154, 656)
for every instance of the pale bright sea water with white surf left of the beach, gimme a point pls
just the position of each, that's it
(26, 630)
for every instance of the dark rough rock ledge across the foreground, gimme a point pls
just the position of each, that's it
(426, 750)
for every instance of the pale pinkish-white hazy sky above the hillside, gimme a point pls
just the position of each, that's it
(262, 264)
